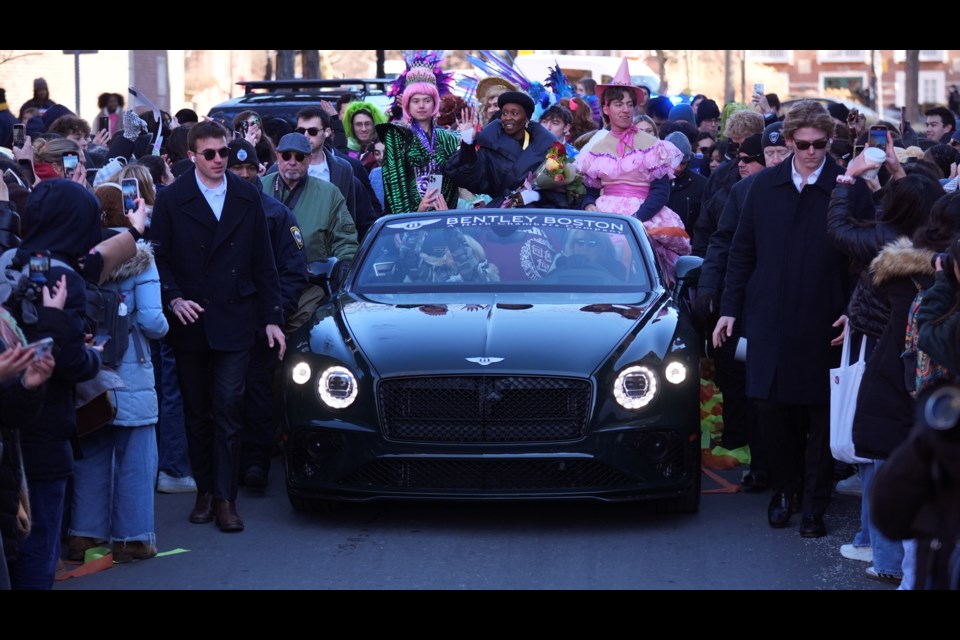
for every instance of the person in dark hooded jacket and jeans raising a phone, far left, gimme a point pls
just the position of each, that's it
(65, 220)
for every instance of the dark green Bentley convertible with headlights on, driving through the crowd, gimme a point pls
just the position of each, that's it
(497, 355)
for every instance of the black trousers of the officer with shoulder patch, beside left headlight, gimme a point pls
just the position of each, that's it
(260, 408)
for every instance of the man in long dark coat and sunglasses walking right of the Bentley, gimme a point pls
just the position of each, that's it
(786, 286)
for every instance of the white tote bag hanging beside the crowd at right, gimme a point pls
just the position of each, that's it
(844, 387)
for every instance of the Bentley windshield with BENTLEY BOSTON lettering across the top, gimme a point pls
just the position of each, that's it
(465, 251)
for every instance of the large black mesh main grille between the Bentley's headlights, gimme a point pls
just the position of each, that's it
(484, 409)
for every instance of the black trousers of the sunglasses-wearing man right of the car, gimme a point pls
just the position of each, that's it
(798, 441)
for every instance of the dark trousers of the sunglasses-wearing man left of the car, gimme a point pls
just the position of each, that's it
(212, 383)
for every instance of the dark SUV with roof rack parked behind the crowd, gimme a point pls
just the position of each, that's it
(284, 98)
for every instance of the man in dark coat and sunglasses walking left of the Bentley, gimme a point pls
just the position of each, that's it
(219, 284)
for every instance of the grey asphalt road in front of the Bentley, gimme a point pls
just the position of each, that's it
(453, 546)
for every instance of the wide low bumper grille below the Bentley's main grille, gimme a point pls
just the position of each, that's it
(486, 475)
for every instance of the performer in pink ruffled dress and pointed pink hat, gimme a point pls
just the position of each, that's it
(633, 170)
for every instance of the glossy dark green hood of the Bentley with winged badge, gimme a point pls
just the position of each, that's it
(491, 336)
